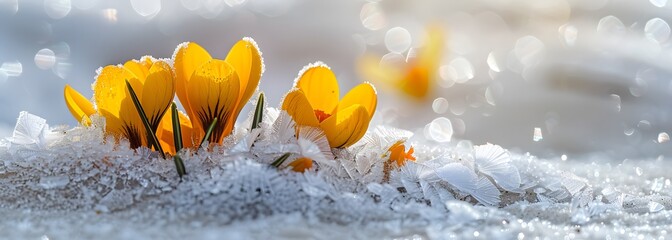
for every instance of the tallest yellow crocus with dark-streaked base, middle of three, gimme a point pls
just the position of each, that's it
(210, 88)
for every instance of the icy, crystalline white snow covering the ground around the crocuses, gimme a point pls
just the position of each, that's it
(80, 184)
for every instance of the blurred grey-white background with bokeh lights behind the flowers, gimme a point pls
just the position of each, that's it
(562, 79)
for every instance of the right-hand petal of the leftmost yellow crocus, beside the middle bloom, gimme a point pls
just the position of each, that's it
(158, 92)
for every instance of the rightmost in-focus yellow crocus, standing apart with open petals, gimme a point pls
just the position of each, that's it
(314, 102)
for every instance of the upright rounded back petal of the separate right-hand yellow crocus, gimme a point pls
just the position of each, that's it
(320, 87)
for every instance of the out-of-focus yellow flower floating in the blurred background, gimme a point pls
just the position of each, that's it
(415, 77)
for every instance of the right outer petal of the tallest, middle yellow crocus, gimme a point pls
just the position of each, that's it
(245, 57)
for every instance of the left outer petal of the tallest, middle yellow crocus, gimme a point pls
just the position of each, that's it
(186, 59)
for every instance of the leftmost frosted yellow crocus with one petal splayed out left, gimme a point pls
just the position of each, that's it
(154, 84)
